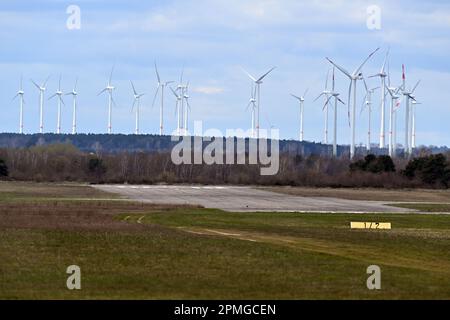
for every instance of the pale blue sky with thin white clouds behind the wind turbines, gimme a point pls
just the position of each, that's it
(213, 40)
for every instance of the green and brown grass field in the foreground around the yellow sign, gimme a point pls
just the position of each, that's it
(132, 250)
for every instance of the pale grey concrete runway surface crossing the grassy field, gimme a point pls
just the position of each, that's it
(242, 199)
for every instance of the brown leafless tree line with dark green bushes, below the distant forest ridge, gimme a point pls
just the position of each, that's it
(64, 162)
